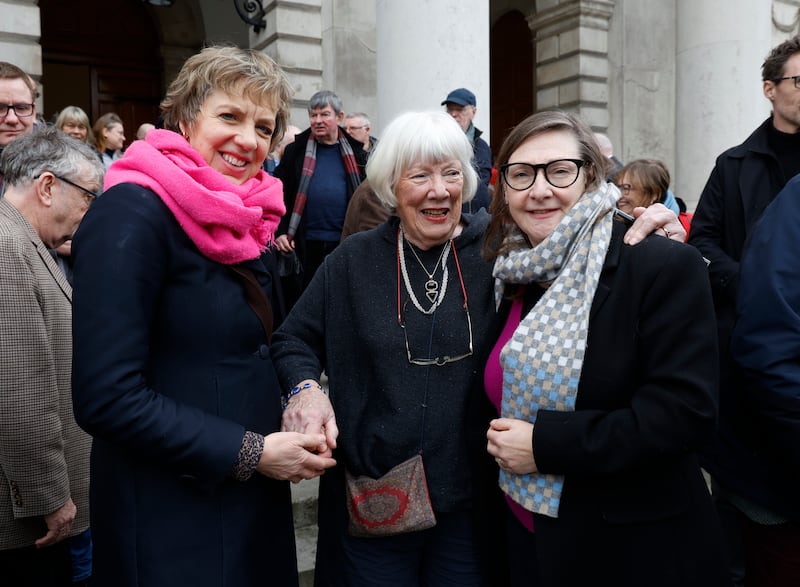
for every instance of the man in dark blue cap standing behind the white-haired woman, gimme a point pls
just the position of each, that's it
(461, 105)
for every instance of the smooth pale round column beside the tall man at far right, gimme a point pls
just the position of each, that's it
(721, 45)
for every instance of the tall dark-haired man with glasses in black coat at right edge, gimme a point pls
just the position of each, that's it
(749, 485)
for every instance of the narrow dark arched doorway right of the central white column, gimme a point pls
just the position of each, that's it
(512, 74)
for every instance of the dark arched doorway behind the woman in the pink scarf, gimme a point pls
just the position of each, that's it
(102, 58)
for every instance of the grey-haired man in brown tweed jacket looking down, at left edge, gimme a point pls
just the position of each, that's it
(50, 180)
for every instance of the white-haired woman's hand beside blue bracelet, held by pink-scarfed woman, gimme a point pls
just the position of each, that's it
(311, 412)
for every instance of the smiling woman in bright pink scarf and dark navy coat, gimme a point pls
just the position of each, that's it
(172, 373)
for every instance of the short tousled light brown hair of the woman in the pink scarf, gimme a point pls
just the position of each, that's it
(232, 70)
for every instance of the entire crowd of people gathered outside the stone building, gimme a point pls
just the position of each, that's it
(502, 371)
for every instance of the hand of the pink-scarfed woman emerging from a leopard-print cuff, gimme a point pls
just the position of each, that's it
(288, 455)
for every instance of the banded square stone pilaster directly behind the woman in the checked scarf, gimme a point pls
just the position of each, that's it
(572, 57)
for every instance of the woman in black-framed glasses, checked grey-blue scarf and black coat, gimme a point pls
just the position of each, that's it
(604, 377)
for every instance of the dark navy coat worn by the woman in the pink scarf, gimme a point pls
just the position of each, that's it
(171, 367)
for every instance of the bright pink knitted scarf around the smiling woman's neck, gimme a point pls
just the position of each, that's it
(229, 223)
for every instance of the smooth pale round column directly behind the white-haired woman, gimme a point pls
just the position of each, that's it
(425, 49)
